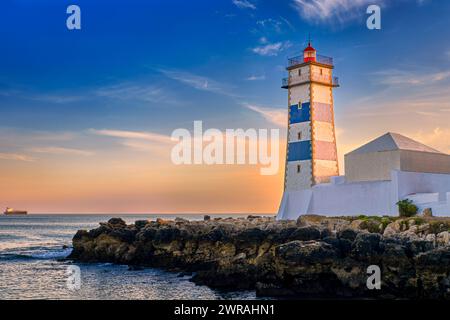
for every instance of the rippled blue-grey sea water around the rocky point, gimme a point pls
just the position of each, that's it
(30, 247)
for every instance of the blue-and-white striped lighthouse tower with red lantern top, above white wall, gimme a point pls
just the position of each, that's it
(311, 155)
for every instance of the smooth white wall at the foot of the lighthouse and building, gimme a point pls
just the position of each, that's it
(341, 198)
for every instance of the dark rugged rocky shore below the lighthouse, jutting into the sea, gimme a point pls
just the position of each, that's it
(314, 257)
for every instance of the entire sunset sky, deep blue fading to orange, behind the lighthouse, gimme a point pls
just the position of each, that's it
(86, 115)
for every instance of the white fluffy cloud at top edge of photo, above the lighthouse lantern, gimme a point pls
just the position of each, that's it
(320, 11)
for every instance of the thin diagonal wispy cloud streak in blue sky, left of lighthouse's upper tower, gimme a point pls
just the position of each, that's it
(197, 82)
